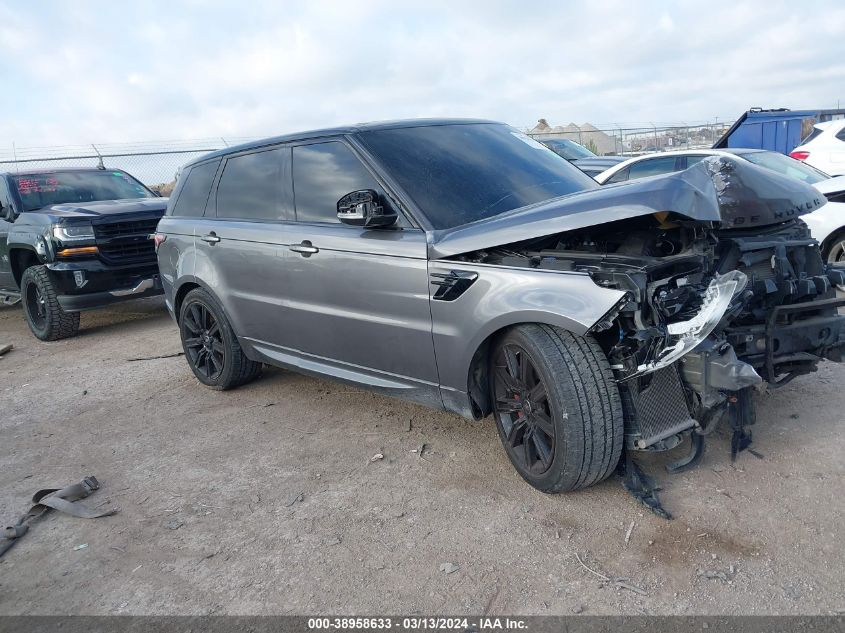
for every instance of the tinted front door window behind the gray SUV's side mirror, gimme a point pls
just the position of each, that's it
(322, 174)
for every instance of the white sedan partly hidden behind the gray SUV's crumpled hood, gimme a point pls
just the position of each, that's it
(826, 224)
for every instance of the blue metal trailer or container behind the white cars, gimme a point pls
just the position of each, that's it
(778, 130)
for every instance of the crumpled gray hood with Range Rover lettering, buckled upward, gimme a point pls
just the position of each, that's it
(731, 192)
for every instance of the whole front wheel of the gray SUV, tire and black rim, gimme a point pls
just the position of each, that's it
(557, 408)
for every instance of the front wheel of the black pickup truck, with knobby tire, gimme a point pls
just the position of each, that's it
(43, 313)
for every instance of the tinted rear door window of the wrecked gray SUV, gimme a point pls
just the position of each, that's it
(253, 186)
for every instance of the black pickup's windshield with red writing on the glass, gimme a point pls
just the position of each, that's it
(48, 188)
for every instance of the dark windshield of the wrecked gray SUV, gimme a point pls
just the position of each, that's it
(461, 173)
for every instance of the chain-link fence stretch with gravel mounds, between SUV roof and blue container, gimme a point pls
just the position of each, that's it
(607, 140)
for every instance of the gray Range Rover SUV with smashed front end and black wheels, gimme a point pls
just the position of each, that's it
(462, 265)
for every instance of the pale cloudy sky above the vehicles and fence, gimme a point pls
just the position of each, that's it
(81, 72)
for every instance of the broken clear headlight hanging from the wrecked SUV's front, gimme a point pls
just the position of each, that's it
(684, 336)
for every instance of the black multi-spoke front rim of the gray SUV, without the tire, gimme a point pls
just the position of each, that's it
(522, 408)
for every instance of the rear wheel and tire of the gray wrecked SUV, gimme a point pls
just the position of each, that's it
(210, 344)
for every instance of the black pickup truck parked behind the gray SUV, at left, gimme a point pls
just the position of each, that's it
(75, 239)
